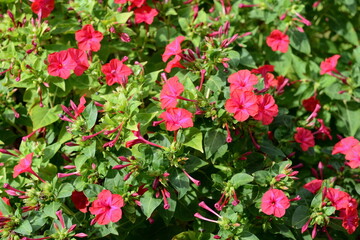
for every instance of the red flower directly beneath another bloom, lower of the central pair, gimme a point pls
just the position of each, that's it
(176, 118)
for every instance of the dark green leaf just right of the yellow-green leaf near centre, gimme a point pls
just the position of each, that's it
(213, 140)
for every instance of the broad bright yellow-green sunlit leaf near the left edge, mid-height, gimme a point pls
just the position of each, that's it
(43, 116)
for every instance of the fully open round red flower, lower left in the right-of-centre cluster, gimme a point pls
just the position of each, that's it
(243, 104)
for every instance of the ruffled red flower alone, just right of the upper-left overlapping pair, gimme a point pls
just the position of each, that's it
(116, 72)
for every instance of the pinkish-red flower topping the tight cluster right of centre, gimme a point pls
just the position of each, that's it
(242, 80)
